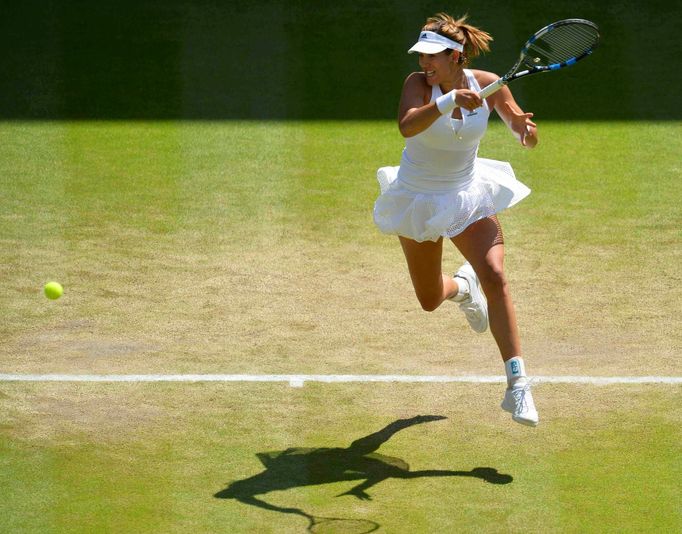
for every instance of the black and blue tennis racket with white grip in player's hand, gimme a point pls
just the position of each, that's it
(554, 47)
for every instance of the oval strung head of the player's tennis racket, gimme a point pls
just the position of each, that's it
(563, 43)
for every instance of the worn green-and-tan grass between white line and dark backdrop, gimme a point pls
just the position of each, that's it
(249, 247)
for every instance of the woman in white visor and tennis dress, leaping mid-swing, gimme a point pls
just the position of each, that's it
(442, 189)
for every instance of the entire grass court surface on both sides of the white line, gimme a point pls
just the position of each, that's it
(246, 247)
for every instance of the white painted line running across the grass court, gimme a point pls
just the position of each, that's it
(299, 380)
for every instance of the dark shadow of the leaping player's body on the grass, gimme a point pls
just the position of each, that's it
(297, 467)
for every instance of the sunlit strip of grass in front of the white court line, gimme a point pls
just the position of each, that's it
(149, 458)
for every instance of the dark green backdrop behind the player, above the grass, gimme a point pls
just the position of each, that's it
(303, 59)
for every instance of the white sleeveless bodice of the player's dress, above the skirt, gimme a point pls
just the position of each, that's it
(443, 156)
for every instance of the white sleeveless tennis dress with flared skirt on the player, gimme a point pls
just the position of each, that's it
(441, 185)
